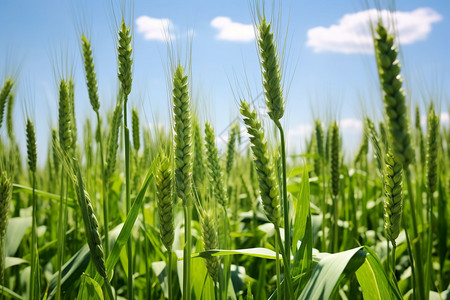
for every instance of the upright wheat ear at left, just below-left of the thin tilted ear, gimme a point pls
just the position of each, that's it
(65, 126)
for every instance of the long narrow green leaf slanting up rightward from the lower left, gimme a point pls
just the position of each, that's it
(128, 225)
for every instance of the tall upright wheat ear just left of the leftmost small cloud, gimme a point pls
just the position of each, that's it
(125, 61)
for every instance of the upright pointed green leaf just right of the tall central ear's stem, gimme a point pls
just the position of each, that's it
(301, 211)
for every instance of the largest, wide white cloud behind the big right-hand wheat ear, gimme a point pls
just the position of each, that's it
(352, 33)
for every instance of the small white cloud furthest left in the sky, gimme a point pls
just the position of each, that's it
(155, 29)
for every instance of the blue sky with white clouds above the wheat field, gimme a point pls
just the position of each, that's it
(330, 69)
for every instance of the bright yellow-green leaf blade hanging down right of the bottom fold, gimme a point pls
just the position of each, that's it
(373, 280)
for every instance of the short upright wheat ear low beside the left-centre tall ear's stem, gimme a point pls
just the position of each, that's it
(164, 184)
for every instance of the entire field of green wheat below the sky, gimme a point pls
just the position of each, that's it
(122, 211)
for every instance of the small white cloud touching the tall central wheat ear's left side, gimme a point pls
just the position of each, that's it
(233, 31)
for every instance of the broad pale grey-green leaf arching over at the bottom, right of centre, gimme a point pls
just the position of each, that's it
(329, 272)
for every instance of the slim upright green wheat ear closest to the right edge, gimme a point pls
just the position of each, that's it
(432, 150)
